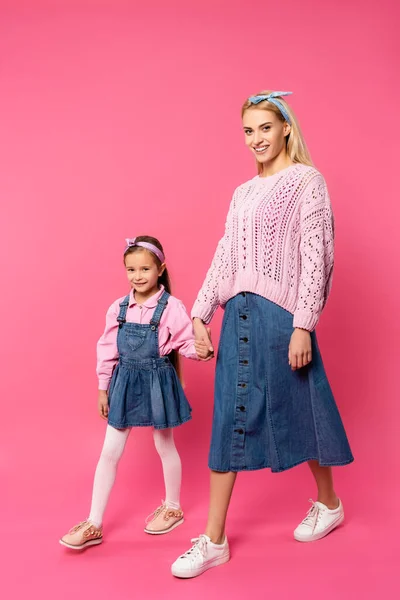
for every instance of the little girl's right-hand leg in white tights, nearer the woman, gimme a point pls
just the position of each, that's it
(172, 466)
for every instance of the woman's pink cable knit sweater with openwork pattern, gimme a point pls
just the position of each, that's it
(278, 243)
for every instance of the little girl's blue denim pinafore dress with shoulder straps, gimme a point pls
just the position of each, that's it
(145, 390)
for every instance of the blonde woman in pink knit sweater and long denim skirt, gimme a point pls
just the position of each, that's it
(272, 271)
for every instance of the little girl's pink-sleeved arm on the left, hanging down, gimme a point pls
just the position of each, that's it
(107, 351)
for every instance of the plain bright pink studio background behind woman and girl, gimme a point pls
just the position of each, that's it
(123, 118)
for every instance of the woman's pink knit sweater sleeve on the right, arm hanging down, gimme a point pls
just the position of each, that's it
(316, 254)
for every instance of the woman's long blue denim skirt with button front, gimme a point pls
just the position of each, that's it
(265, 414)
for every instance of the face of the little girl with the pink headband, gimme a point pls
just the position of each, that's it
(142, 271)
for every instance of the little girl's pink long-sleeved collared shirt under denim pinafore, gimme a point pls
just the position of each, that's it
(175, 332)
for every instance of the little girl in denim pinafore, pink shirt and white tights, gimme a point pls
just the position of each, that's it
(137, 363)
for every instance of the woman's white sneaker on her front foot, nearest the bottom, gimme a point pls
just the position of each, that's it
(202, 556)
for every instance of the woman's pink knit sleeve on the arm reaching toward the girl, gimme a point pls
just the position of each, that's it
(207, 300)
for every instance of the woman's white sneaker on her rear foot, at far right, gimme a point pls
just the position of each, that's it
(319, 521)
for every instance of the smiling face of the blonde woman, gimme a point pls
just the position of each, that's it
(265, 134)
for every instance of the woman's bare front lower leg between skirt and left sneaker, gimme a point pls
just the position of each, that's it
(221, 486)
